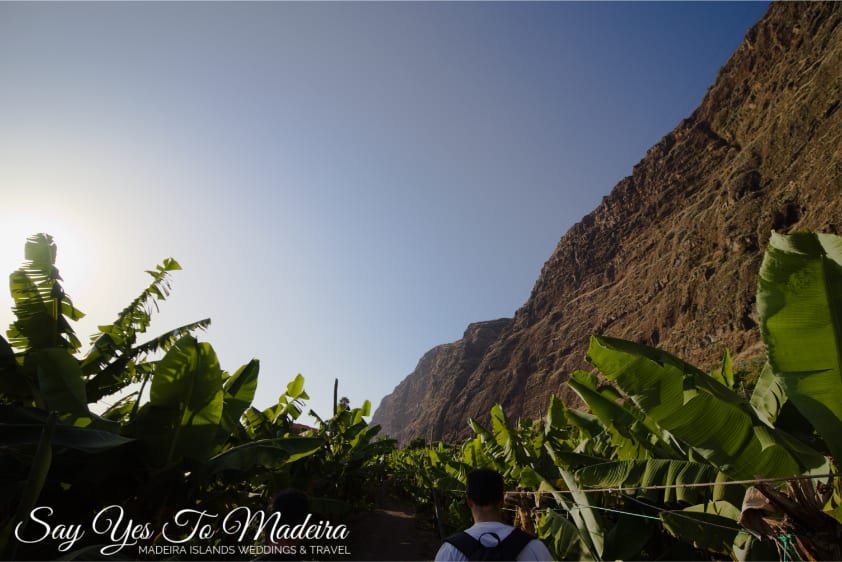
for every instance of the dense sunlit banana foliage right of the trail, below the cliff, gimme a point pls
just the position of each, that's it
(658, 465)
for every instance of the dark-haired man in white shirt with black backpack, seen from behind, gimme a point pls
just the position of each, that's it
(489, 538)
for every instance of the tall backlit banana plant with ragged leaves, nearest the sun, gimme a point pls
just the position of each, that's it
(45, 371)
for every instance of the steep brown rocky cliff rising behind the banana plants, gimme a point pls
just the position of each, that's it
(670, 258)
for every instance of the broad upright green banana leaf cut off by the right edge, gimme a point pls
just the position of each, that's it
(799, 300)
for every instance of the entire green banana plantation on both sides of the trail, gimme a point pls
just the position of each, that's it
(666, 462)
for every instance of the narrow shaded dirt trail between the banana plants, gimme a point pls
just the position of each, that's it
(392, 531)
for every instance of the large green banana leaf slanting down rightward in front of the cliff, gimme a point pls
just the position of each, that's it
(701, 412)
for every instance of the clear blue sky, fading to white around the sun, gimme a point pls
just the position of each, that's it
(346, 185)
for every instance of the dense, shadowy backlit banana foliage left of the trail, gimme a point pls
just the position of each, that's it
(194, 440)
